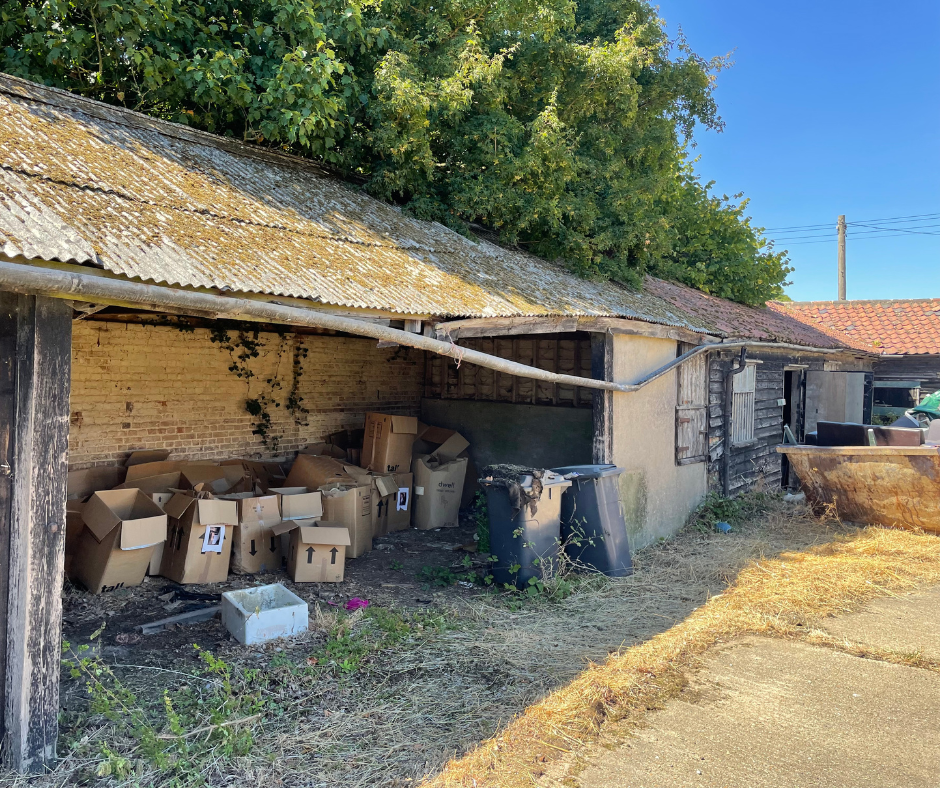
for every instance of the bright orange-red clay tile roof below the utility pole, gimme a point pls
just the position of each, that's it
(903, 327)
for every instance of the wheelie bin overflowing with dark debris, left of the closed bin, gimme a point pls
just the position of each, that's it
(528, 541)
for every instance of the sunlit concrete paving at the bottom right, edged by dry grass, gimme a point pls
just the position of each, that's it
(778, 714)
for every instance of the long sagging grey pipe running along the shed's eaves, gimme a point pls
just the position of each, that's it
(75, 285)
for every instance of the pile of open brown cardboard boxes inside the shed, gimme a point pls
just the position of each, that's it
(194, 521)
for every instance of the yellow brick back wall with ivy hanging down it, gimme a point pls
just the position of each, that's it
(155, 387)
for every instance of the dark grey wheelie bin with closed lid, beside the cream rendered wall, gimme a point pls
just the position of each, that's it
(592, 524)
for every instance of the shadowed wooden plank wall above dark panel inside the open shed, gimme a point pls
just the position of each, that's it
(568, 354)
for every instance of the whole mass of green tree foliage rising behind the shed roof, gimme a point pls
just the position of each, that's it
(563, 125)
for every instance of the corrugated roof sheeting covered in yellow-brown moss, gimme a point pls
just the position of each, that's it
(82, 181)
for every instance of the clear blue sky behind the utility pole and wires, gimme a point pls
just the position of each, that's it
(831, 108)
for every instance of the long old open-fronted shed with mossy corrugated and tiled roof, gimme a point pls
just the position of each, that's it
(163, 288)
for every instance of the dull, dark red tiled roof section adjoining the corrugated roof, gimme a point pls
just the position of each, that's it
(736, 321)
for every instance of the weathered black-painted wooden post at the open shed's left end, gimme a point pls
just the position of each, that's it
(34, 425)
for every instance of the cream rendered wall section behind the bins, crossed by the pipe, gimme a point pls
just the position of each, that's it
(657, 494)
